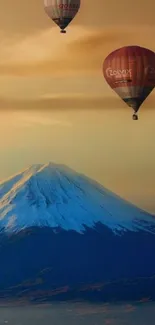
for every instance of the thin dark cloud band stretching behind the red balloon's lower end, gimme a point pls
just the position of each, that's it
(57, 103)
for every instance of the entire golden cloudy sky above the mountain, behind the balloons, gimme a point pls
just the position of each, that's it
(55, 104)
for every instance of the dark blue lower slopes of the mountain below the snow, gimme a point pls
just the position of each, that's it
(54, 264)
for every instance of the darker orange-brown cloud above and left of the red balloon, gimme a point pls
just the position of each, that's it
(93, 48)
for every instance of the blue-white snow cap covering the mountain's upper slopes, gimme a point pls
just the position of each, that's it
(56, 196)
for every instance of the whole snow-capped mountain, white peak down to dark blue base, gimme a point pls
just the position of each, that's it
(64, 236)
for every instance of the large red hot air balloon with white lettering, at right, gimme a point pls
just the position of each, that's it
(130, 72)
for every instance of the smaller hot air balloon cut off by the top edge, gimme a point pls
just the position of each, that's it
(62, 12)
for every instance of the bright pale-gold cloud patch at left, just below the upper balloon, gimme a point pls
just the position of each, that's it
(37, 47)
